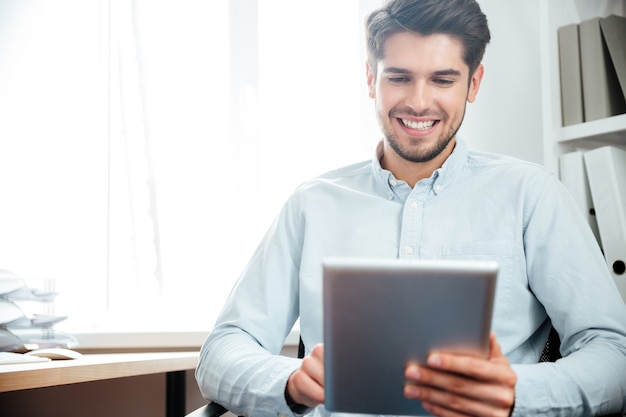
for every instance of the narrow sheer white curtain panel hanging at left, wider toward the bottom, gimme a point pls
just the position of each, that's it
(134, 246)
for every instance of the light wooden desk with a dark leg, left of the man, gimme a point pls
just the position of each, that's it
(97, 367)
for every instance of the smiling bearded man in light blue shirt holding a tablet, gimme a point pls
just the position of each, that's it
(425, 195)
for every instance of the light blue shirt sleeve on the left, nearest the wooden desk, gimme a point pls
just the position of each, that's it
(240, 366)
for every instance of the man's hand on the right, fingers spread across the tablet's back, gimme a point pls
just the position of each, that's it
(454, 385)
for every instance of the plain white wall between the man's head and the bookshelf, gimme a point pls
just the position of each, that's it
(506, 117)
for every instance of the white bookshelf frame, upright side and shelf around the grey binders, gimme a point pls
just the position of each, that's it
(588, 135)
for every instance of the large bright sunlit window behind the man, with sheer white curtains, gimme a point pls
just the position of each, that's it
(149, 145)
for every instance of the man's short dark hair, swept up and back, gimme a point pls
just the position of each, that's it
(462, 19)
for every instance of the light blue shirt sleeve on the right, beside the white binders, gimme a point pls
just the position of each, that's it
(568, 275)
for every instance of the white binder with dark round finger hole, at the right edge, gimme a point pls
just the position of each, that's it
(606, 170)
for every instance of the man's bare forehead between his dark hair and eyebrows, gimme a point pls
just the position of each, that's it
(411, 51)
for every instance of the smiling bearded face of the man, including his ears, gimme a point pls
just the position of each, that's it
(421, 88)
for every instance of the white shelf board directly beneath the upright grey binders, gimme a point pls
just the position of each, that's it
(610, 130)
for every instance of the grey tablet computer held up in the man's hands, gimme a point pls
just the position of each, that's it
(380, 314)
